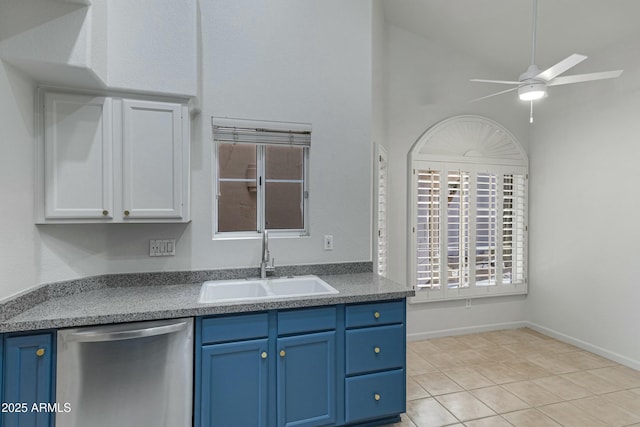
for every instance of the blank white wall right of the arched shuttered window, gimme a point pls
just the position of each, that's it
(584, 198)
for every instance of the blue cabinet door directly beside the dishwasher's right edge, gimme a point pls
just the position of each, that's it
(234, 384)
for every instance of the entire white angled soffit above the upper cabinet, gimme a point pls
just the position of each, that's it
(104, 44)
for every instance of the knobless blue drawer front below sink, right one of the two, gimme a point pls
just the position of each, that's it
(306, 320)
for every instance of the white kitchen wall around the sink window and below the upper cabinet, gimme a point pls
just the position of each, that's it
(278, 60)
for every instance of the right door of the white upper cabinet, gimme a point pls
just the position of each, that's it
(152, 160)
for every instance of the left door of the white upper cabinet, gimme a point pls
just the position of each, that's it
(78, 162)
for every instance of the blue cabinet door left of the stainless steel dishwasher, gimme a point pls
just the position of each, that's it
(28, 380)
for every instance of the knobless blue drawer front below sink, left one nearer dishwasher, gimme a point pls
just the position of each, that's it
(235, 328)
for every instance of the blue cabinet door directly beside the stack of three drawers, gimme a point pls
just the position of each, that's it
(306, 372)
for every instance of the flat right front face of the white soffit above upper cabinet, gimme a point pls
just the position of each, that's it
(165, 35)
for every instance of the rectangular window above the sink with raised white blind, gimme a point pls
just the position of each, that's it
(261, 171)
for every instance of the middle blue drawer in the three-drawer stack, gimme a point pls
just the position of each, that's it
(375, 349)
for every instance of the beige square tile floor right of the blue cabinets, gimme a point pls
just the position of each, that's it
(516, 378)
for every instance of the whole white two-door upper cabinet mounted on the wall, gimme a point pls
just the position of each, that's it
(108, 159)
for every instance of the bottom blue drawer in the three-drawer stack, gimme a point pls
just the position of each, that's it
(374, 395)
